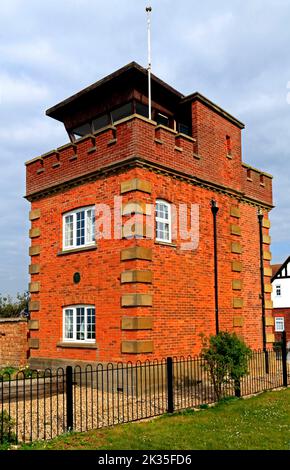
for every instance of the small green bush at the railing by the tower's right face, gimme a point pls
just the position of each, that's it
(226, 358)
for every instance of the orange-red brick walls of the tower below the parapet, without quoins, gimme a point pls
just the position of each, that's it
(183, 284)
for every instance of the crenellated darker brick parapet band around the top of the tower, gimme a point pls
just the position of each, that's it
(137, 136)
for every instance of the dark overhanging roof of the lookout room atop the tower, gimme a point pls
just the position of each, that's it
(131, 81)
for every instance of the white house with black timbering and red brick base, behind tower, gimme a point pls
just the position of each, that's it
(281, 298)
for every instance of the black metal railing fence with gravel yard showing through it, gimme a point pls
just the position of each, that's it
(51, 402)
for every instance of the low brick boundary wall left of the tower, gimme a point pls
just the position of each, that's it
(13, 342)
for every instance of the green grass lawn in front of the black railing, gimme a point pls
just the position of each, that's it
(261, 422)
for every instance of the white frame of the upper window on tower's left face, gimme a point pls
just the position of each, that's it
(74, 213)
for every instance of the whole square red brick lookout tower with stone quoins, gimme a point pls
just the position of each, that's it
(145, 232)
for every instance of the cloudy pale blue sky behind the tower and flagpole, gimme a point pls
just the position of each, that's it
(234, 52)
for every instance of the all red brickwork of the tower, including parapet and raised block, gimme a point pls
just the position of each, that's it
(183, 281)
